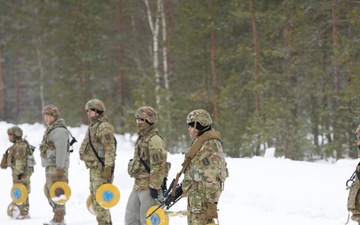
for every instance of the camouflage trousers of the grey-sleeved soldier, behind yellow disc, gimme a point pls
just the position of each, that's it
(50, 174)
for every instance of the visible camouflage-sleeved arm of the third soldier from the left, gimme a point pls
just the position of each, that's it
(106, 138)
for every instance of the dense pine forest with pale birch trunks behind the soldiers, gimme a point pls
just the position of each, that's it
(272, 73)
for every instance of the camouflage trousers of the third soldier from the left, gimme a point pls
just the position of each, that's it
(103, 216)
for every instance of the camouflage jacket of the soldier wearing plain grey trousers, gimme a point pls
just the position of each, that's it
(152, 149)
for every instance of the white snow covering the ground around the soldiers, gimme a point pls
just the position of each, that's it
(260, 190)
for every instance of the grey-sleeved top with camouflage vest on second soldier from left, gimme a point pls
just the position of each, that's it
(54, 148)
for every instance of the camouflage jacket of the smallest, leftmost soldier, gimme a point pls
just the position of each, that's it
(17, 157)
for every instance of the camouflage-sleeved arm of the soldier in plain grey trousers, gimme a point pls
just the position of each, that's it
(158, 156)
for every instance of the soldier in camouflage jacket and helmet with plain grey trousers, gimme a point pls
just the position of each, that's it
(148, 167)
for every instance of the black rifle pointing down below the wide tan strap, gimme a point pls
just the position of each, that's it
(169, 200)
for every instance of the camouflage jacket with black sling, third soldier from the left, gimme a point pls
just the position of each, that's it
(102, 139)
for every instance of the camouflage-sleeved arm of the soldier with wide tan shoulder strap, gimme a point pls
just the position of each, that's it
(208, 164)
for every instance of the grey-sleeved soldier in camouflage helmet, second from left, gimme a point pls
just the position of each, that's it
(55, 157)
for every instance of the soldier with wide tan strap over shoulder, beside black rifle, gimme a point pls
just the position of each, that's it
(206, 173)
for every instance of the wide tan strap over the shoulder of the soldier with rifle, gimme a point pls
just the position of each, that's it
(212, 134)
